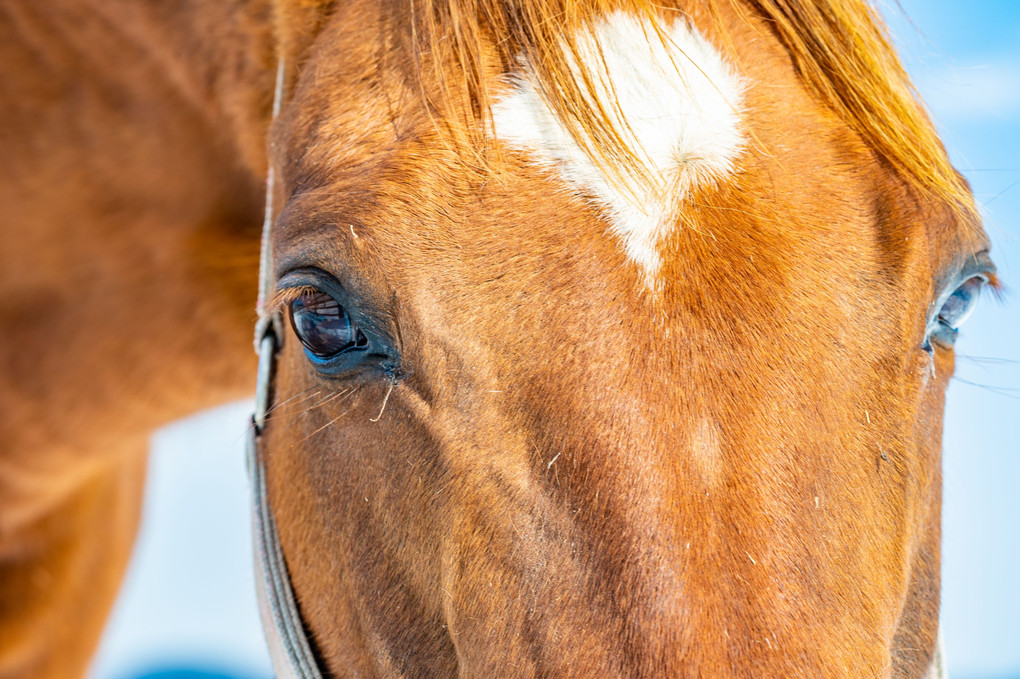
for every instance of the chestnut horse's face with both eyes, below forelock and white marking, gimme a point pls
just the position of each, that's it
(500, 442)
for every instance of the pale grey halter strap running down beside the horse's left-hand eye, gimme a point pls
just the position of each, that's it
(285, 635)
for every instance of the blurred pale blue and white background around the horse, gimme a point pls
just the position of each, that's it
(188, 609)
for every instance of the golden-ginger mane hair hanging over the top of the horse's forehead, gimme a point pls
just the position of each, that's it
(840, 48)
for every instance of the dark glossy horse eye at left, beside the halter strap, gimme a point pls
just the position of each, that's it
(324, 327)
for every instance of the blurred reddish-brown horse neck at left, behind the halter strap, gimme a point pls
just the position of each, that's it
(152, 145)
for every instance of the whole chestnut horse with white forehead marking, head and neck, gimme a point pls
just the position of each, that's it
(597, 338)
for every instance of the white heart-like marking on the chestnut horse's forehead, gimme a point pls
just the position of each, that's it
(677, 103)
